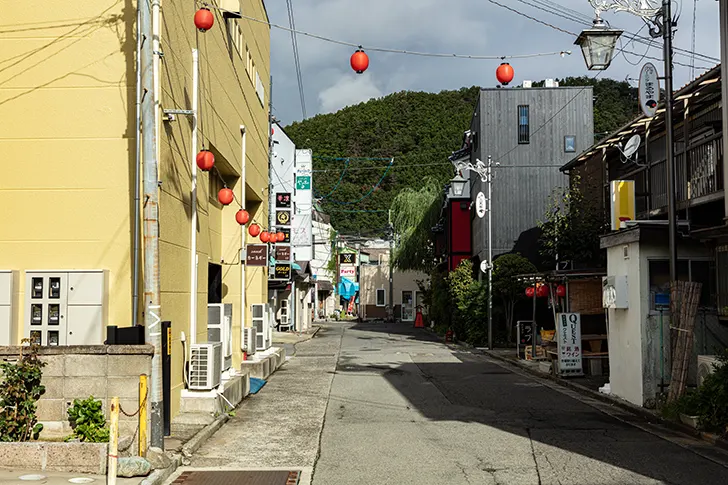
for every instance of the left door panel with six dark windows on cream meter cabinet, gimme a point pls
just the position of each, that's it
(46, 307)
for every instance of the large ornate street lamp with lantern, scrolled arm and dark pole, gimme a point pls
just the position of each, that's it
(658, 16)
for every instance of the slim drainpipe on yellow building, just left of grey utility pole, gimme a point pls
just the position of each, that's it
(137, 175)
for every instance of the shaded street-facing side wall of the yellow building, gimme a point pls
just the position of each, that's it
(228, 106)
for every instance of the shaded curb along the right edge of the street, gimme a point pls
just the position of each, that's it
(645, 414)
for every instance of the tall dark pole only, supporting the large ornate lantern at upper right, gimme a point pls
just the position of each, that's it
(669, 149)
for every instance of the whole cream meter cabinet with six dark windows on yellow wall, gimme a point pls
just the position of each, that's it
(66, 307)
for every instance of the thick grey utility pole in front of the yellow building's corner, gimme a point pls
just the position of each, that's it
(152, 310)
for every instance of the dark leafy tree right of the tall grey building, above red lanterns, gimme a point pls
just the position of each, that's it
(572, 226)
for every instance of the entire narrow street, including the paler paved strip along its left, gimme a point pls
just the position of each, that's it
(379, 403)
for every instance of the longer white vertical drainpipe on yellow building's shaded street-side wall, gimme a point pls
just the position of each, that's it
(193, 199)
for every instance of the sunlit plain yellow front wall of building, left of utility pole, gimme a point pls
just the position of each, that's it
(67, 88)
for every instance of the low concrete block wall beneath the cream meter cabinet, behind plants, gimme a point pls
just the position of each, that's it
(101, 371)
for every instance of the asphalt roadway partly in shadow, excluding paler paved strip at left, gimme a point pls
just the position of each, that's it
(404, 409)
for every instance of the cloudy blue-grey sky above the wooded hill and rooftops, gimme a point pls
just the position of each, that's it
(472, 27)
